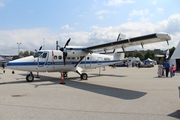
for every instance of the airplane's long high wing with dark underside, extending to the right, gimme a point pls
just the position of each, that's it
(141, 40)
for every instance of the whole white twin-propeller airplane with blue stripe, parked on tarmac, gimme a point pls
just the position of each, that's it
(77, 59)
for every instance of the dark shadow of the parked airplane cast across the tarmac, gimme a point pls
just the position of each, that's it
(75, 82)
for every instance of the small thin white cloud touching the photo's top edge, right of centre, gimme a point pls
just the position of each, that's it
(118, 2)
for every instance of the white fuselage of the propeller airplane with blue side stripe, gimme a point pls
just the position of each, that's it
(52, 61)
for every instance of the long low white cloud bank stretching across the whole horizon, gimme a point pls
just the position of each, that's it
(33, 38)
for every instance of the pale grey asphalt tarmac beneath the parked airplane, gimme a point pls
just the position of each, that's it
(114, 94)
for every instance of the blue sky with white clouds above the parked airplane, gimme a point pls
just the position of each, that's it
(35, 23)
